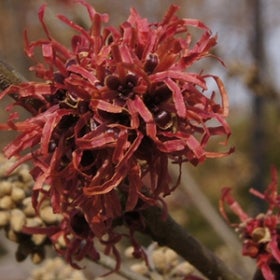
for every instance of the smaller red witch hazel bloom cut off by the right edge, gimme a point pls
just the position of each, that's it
(260, 234)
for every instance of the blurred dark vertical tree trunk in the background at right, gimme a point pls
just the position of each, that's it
(258, 103)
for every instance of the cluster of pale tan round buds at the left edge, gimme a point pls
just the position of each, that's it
(17, 212)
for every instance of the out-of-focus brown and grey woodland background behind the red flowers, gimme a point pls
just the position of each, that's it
(248, 43)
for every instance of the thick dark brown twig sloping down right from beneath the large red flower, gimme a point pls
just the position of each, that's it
(168, 233)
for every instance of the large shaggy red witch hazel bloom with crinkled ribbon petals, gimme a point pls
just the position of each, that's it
(110, 113)
